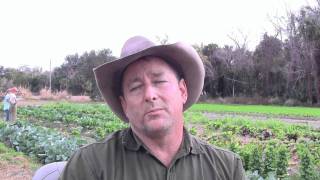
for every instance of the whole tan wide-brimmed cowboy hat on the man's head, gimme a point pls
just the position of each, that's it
(180, 55)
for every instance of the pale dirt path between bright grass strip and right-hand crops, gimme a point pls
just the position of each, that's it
(313, 122)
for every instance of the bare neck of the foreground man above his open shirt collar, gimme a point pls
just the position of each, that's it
(164, 148)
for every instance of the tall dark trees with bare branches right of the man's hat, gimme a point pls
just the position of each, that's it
(288, 69)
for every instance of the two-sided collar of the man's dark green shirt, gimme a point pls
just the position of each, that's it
(189, 143)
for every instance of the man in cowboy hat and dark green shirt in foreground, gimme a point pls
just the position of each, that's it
(149, 87)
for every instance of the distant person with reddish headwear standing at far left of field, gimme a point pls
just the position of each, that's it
(10, 104)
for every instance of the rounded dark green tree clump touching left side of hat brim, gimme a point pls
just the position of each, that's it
(76, 74)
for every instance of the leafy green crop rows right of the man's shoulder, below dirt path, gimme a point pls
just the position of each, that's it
(267, 148)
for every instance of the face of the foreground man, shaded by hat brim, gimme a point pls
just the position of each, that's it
(153, 97)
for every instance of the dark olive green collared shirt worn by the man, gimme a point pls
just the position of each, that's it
(122, 156)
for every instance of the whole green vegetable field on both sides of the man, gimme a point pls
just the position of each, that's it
(269, 148)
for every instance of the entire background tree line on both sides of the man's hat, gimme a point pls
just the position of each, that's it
(285, 68)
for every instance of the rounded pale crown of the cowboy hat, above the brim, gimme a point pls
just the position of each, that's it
(134, 45)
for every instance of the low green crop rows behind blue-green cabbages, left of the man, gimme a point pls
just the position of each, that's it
(77, 118)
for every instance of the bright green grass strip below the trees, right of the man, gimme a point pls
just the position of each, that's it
(267, 110)
